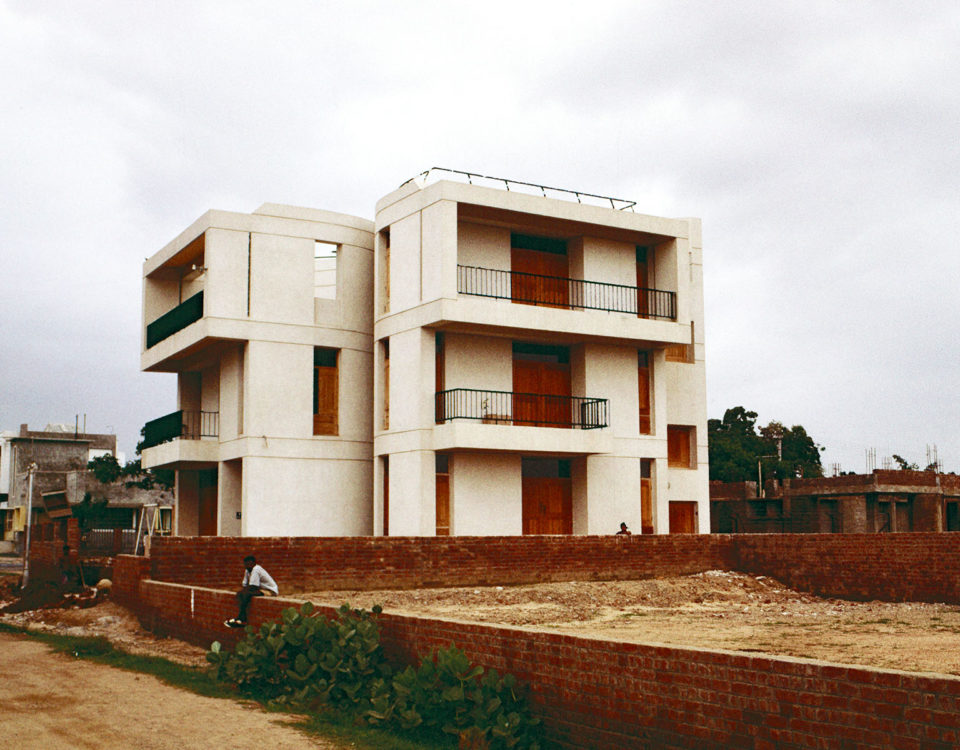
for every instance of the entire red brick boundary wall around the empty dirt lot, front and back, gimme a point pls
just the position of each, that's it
(594, 693)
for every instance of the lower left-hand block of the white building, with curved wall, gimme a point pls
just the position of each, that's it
(267, 319)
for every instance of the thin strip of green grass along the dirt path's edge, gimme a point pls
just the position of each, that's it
(199, 680)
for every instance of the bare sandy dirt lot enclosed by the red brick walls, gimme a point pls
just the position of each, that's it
(715, 609)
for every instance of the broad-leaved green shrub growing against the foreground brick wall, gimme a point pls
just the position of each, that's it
(306, 660)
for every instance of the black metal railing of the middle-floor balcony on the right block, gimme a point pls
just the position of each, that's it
(522, 409)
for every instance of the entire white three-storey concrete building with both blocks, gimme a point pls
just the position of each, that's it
(504, 363)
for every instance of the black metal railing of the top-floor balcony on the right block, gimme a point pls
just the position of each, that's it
(574, 294)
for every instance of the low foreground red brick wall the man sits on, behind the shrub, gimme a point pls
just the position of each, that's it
(600, 694)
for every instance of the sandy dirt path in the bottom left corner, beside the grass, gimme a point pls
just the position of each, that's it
(50, 701)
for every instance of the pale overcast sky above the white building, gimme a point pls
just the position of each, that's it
(818, 141)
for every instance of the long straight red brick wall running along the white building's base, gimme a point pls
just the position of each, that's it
(309, 563)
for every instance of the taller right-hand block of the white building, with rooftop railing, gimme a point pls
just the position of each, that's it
(538, 366)
